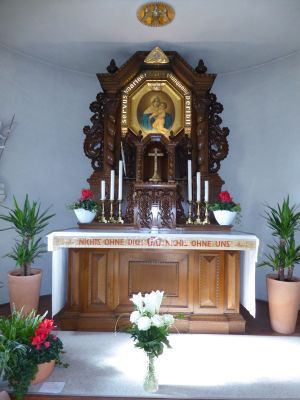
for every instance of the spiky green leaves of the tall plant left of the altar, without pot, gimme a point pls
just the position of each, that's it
(28, 221)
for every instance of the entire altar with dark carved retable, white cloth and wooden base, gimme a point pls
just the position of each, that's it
(156, 144)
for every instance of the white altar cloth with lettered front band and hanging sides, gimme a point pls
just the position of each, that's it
(58, 242)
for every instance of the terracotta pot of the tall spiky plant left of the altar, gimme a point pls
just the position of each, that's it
(24, 291)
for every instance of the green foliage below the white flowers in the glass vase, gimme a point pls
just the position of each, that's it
(151, 341)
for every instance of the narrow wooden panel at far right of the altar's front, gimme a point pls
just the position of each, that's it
(232, 279)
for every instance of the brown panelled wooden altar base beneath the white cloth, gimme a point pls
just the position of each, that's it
(202, 286)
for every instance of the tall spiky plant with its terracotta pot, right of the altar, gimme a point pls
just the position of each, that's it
(282, 287)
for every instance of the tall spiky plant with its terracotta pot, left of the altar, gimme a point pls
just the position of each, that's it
(28, 221)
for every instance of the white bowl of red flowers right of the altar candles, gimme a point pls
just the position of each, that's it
(225, 209)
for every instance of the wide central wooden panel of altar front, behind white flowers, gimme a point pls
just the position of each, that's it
(143, 271)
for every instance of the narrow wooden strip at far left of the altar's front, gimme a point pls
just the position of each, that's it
(74, 279)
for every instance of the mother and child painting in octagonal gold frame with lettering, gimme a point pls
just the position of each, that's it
(156, 106)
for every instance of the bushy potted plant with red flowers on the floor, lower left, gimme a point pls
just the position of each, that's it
(28, 350)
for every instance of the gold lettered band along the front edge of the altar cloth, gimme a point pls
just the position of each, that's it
(152, 241)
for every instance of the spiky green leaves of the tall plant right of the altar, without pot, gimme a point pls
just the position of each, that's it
(283, 221)
